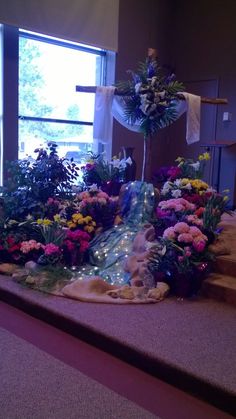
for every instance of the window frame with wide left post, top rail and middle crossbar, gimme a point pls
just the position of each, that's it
(10, 81)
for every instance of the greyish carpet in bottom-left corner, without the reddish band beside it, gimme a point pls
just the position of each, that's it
(36, 385)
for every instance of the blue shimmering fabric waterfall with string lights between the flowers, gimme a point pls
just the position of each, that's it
(109, 250)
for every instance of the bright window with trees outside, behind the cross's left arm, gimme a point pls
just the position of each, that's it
(49, 107)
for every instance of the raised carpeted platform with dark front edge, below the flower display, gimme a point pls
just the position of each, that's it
(190, 344)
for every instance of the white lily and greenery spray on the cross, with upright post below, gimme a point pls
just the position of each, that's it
(149, 100)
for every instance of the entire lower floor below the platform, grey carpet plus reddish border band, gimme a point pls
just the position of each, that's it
(45, 372)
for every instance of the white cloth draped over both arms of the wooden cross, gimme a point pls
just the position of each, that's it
(109, 105)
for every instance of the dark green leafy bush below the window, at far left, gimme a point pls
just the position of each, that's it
(30, 184)
